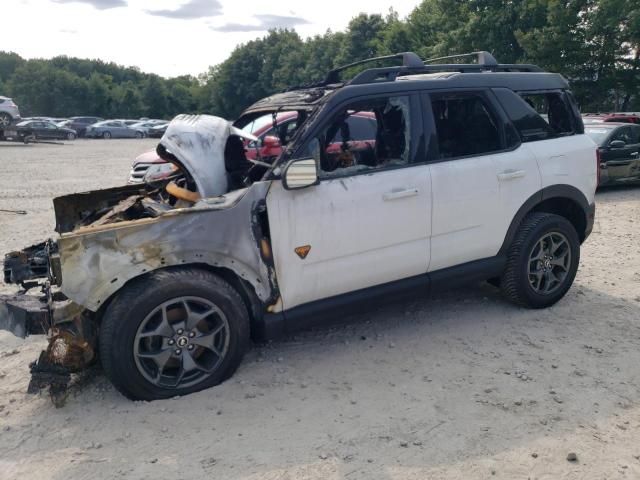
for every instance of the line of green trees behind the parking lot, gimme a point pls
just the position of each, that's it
(594, 43)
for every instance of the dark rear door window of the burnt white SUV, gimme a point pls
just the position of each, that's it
(465, 125)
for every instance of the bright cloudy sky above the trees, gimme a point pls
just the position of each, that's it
(167, 37)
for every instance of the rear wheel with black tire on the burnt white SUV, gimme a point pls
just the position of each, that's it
(542, 261)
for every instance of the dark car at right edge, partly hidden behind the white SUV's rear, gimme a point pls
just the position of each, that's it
(619, 150)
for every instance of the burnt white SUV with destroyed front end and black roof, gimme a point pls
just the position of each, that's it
(468, 172)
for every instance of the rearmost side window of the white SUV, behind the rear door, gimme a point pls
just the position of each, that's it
(538, 116)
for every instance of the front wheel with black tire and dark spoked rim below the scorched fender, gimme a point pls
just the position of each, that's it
(173, 332)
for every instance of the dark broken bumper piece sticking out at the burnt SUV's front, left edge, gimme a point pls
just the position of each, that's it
(23, 315)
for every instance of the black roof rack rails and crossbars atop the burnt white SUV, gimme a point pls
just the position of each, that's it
(413, 64)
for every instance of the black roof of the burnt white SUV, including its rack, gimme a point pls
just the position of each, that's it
(419, 75)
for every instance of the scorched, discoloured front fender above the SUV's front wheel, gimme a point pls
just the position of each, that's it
(96, 263)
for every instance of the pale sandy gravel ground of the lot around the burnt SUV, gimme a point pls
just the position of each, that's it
(458, 386)
